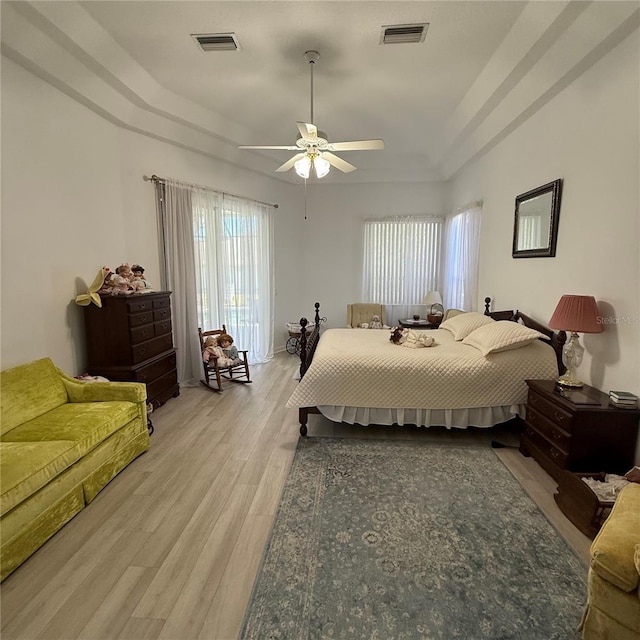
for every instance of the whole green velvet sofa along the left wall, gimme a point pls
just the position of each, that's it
(61, 441)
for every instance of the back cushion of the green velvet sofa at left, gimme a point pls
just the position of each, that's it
(28, 391)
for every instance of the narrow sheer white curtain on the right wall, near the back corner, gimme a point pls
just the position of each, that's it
(461, 258)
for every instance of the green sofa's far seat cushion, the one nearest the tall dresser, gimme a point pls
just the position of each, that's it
(87, 424)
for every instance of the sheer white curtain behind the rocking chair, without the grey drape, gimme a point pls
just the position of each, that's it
(234, 269)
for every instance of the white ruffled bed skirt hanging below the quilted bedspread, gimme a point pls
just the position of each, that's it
(450, 418)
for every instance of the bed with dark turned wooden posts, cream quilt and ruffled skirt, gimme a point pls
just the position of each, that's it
(358, 376)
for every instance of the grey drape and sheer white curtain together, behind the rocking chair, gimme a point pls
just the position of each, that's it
(216, 252)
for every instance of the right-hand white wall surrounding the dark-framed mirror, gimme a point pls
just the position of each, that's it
(588, 135)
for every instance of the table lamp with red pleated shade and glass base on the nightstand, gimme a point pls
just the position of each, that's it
(575, 314)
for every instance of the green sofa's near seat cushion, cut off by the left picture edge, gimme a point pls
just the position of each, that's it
(26, 467)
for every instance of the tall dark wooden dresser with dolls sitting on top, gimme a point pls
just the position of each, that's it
(129, 339)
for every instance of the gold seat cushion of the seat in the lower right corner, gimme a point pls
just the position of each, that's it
(612, 551)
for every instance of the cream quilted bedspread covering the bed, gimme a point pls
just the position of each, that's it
(362, 368)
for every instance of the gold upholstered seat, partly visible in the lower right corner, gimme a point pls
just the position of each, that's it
(613, 600)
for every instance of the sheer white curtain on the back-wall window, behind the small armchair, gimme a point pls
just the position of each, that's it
(401, 263)
